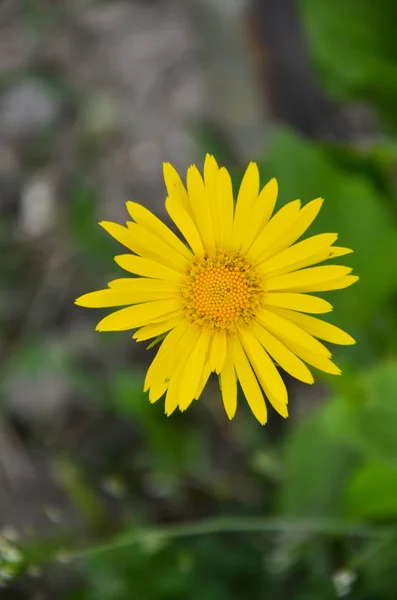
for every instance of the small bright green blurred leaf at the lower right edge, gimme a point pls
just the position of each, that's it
(373, 492)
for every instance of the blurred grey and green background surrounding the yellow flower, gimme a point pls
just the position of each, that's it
(102, 497)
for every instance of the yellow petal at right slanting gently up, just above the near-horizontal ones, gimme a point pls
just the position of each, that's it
(301, 251)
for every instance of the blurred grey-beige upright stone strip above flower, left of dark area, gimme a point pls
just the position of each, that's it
(235, 104)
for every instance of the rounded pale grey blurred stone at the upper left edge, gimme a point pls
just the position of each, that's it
(27, 108)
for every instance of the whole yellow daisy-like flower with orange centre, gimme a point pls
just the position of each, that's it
(233, 300)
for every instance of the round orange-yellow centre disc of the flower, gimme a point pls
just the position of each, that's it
(221, 292)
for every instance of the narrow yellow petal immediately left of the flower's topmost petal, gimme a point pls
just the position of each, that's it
(200, 207)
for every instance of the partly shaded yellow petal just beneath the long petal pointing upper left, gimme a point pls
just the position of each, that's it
(151, 246)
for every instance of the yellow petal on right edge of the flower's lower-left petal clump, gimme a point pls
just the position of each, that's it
(194, 370)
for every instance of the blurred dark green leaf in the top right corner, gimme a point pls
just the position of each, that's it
(353, 46)
